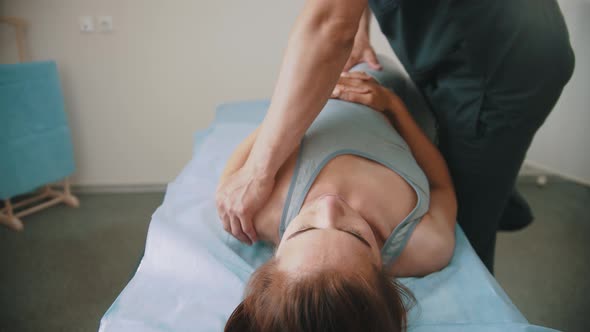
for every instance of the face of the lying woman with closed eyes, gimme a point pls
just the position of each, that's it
(328, 233)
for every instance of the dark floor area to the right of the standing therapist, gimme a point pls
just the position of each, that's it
(545, 268)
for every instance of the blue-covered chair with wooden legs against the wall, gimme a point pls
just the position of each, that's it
(35, 140)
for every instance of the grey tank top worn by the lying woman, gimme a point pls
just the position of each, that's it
(349, 128)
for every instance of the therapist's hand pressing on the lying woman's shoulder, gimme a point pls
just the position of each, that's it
(239, 198)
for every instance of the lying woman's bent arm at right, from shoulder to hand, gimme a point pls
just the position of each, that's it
(431, 246)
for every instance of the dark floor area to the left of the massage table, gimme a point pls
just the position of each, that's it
(68, 265)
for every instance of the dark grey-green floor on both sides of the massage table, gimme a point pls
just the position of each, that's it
(67, 267)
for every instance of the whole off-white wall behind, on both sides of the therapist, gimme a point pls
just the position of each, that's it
(134, 97)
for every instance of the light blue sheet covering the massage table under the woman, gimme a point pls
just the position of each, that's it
(193, 273)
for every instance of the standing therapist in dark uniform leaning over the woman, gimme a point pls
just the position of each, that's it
(490, 70)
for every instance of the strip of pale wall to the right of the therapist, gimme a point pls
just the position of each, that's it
(563, 143)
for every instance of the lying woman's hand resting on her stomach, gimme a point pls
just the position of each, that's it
(361, 88)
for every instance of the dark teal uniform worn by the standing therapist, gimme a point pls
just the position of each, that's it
(491, 71)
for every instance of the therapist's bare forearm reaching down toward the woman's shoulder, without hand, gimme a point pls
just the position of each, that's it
(318, 47)
